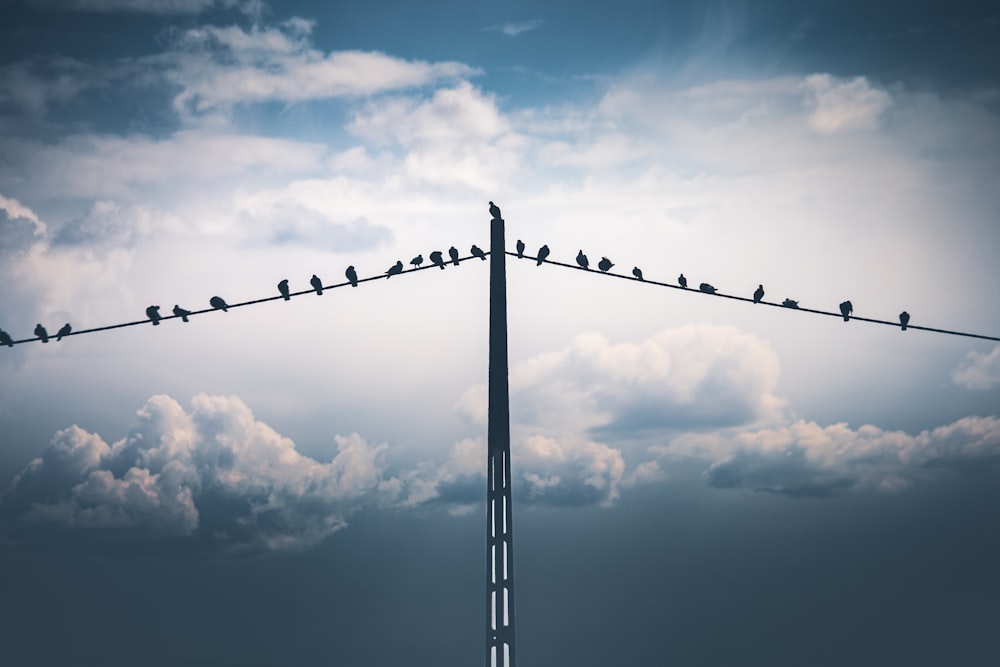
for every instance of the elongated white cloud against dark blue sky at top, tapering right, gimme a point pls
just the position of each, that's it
(217, 67)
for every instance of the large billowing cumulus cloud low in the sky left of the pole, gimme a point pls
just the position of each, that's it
(213, 472)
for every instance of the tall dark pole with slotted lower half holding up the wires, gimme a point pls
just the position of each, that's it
(499, 529)
